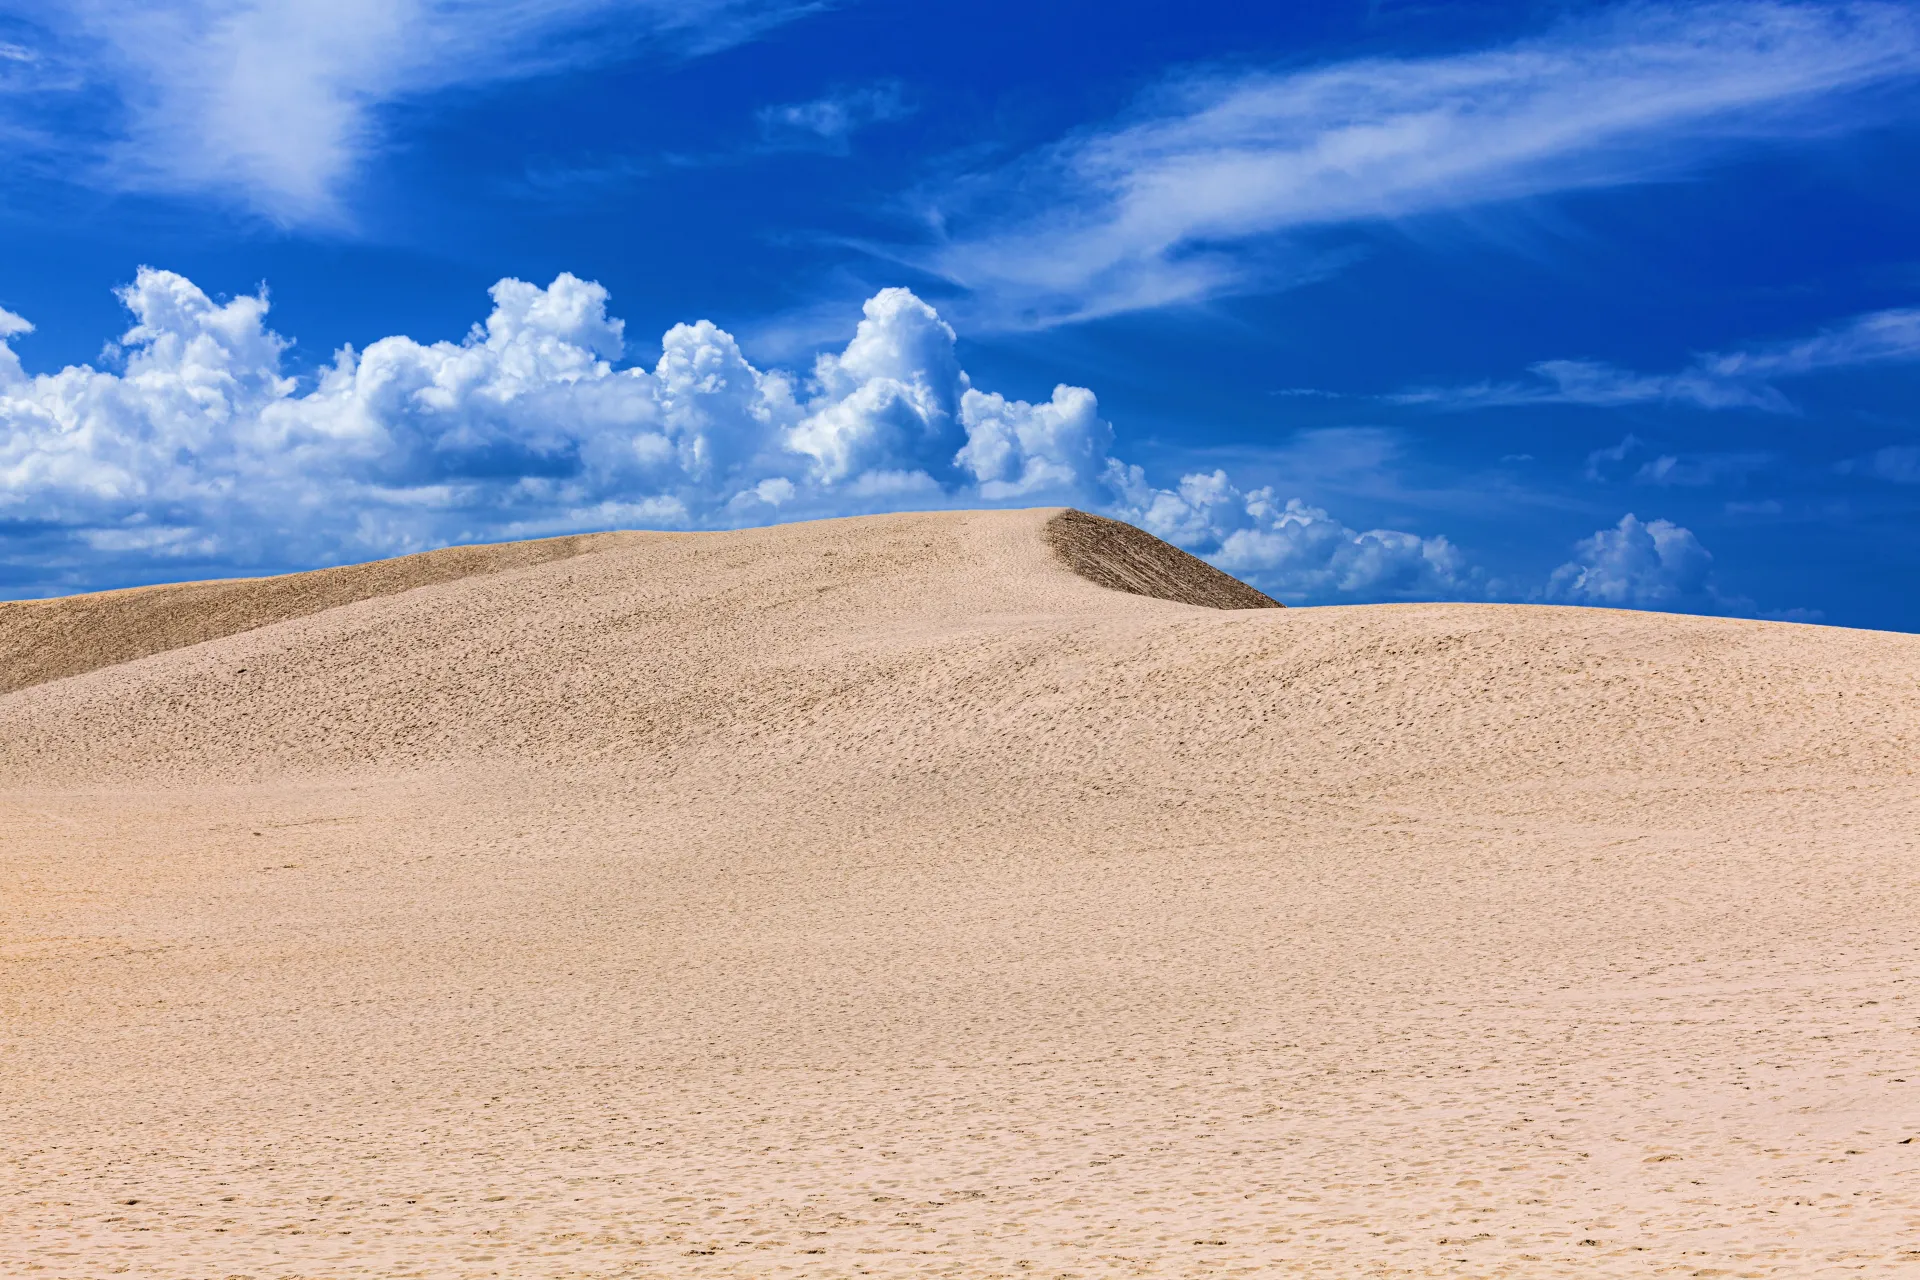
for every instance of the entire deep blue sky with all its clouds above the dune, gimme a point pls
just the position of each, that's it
(1610, 304)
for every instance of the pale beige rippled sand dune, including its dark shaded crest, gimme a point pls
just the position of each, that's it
(890, 897)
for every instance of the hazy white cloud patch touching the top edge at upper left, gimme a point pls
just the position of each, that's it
(277, 103)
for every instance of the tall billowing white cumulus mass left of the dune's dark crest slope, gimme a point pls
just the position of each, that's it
(525, 425)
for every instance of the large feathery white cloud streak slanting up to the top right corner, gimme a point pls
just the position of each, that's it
(1164, 208)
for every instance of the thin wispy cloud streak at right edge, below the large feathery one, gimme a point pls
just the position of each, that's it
(1714, 381)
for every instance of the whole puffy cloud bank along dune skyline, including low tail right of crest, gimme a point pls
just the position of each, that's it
(201, 448)
